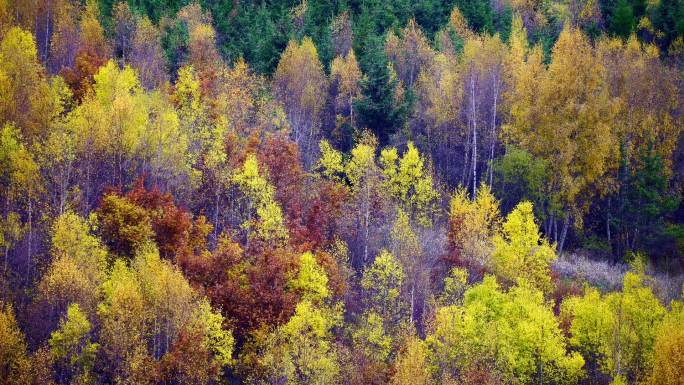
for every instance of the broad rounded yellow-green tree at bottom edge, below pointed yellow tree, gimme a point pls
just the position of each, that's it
(513, 333)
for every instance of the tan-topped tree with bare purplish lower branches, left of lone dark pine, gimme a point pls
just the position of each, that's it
(299, 84)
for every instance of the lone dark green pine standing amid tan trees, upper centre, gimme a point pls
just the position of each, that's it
(377, 109)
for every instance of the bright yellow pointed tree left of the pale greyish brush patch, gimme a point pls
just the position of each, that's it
(520, 252)
